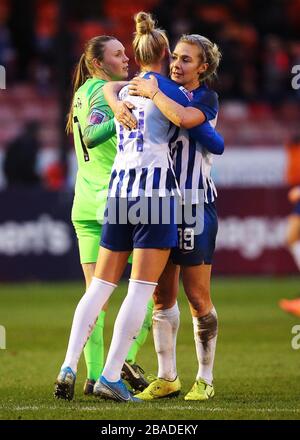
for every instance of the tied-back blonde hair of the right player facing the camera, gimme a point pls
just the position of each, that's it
(210, 54)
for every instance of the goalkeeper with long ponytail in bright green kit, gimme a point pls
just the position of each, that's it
(92, 124)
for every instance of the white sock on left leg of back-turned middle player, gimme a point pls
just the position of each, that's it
(85, 318)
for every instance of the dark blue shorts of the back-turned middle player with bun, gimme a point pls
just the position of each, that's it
(154, 231)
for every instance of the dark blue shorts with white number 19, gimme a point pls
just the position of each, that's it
(197, 249)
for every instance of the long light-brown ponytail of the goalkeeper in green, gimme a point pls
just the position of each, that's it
(94, 48)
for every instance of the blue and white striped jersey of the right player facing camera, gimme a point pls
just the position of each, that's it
(192, 161)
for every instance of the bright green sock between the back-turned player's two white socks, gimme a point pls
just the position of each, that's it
(94, 349)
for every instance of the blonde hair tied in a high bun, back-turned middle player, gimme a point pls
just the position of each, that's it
(149, 42)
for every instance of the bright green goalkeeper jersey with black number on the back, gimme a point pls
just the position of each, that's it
(95, 145)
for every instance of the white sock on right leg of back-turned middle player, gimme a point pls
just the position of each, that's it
(127, 326)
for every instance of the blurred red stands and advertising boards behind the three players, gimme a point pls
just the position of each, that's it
(41, 40)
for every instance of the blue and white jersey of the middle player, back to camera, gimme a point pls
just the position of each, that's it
(143, 162)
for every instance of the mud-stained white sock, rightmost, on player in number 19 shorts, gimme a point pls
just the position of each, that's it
(205, 335)
